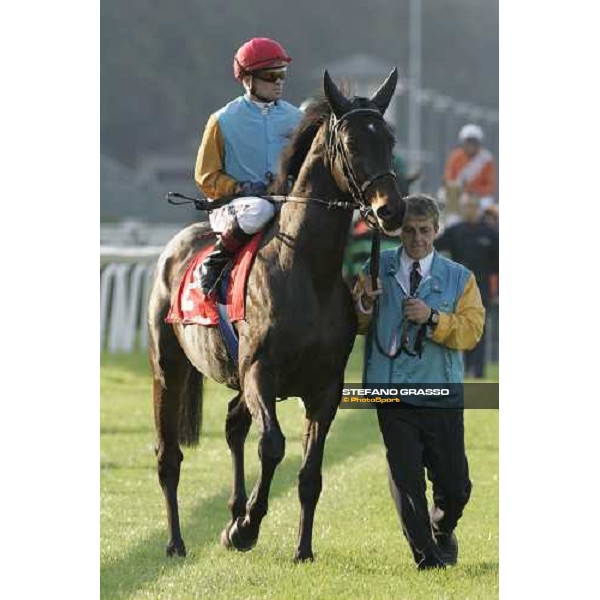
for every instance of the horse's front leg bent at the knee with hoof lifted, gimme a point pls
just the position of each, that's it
(259, 395)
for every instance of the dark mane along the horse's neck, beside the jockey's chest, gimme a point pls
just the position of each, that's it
(300, 142)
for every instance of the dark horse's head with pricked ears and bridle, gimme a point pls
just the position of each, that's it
(359, 148)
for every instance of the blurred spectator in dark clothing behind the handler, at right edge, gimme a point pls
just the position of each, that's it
(474, 244)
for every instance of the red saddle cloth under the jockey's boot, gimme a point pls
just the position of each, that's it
(190, 305)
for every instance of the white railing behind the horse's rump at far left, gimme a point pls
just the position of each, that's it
(125, 278)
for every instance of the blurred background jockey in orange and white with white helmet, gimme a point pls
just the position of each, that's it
(471, 167)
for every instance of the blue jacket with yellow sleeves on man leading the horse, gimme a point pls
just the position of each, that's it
(445, 287)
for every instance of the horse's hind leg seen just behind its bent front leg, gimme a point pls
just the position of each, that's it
(237, 426)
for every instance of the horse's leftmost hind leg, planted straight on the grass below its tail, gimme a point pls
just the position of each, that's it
(171, 386)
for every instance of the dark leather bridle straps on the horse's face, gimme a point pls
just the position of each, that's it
(335, 147)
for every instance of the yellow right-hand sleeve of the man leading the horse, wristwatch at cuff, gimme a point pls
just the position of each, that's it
(462, 329)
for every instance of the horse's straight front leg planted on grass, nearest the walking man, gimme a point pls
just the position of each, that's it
(320, 412)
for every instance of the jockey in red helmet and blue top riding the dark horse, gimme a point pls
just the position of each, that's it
(240, 150)
